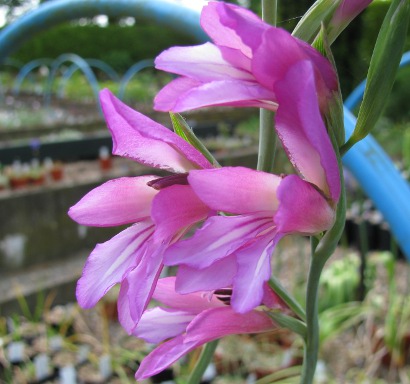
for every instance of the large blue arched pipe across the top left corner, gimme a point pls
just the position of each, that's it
(178, 15)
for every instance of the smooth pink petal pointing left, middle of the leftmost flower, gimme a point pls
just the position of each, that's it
(116, 202)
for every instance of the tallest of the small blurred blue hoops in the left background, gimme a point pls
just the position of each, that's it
(81, 64)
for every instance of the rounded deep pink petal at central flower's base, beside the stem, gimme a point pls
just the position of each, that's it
(302, 209)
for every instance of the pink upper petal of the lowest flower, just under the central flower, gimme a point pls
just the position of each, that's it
(197, 302)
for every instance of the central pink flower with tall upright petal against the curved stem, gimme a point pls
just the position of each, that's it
(235, 249)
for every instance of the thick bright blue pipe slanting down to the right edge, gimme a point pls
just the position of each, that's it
(382, 182)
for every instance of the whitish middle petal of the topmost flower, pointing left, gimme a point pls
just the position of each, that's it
(201, 62)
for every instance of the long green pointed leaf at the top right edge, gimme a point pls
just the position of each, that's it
(382, 70)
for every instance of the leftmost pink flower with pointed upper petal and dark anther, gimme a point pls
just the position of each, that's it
(161, 209)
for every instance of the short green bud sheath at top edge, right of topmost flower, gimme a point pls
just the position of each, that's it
(309, 25)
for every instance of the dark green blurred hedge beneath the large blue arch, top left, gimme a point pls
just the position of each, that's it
(119, 46)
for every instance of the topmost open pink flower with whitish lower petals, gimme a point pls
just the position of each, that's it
(241, 67)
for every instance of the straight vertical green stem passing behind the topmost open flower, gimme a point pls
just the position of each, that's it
(267, 135)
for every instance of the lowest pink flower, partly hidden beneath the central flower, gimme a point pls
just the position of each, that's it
(189, 321)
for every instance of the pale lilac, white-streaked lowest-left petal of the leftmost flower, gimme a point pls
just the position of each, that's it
(109, 261)
